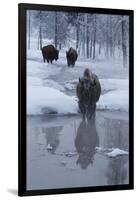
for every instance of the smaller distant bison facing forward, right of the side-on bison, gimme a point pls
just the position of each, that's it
(71, 56)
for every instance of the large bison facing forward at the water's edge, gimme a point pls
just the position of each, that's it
(88, 93)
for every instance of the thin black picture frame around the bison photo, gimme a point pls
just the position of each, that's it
(22, 190)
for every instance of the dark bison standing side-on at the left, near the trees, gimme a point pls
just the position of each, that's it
(50, 53)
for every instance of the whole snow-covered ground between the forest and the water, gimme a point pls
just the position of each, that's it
(51, 87)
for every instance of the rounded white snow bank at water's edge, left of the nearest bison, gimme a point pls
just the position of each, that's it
(43, 100)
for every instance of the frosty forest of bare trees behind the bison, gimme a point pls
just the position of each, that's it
(89, 34)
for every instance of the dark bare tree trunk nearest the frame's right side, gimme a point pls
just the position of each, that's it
(124, 47)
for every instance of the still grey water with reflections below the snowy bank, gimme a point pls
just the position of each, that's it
(61, 151)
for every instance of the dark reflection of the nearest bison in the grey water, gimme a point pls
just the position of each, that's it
(86, 141)
